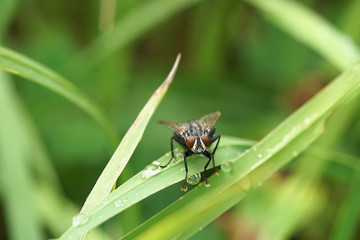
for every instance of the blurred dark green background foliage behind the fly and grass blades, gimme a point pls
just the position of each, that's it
(233, 60)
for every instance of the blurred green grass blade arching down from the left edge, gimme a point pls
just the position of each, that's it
(20, 65)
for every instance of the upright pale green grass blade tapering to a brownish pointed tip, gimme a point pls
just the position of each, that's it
(127, 146)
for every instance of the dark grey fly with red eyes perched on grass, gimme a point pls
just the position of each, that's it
(196, 137)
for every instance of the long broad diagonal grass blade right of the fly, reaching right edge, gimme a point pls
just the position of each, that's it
(185, 217)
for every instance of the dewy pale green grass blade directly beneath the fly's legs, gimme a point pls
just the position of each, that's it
(151, 180)
